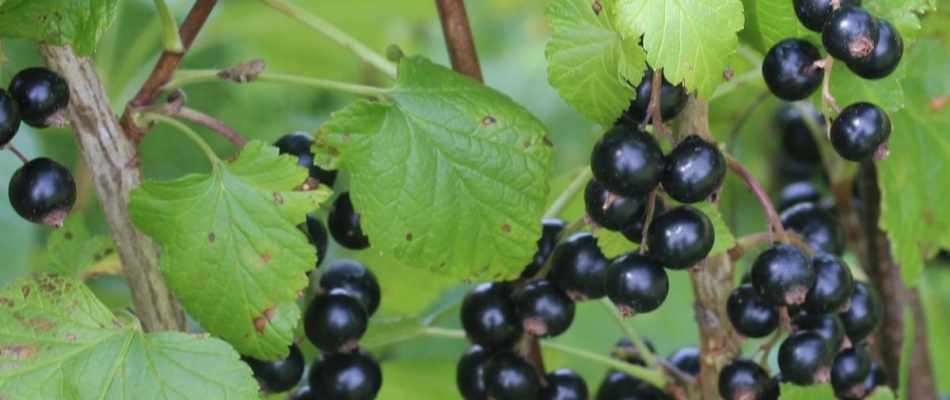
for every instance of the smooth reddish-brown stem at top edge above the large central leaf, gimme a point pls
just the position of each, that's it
(458, 38)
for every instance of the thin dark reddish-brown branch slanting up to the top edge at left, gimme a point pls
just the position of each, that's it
(166, 65)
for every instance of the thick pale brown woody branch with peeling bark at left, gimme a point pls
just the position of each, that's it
(113, 160)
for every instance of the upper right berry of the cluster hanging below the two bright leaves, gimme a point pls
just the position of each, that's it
(694, 170)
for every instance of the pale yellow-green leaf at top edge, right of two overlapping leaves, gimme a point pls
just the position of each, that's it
(690, 39)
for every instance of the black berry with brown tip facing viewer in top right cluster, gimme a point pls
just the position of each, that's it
(850, 34)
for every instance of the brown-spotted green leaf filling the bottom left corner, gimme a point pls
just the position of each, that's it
(57, 341)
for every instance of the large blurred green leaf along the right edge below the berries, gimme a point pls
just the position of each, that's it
(912, 212)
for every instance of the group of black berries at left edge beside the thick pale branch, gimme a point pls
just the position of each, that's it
(42, 190)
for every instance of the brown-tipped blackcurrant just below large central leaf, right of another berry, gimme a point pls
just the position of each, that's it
(489, 315)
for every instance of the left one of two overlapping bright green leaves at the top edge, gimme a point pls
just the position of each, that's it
(589, 62)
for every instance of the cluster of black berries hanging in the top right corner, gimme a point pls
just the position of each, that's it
(869, 46)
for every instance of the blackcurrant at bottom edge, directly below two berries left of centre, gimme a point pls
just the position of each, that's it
(346, 376)
